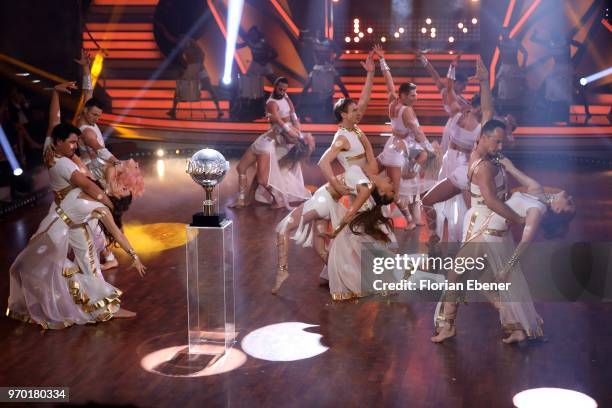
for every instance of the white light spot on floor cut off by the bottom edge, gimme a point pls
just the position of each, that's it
(552, 397)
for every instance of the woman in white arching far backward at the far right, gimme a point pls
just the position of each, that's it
(490, 236)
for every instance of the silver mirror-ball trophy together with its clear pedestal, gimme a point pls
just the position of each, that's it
(210, 263)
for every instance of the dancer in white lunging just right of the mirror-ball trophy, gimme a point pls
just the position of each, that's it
(280, 182)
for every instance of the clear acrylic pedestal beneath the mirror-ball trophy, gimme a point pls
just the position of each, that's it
(210, 288)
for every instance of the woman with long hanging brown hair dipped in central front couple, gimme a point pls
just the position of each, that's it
(364, 223)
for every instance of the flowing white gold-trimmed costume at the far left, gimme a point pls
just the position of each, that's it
(48, 289)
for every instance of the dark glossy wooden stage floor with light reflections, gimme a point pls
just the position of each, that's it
(379, 353)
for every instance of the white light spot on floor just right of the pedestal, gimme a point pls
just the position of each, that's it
(283, 342)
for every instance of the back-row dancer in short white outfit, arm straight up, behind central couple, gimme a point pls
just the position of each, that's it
(407, 151)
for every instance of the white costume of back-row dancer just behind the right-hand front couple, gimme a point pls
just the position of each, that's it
(454, 167)
